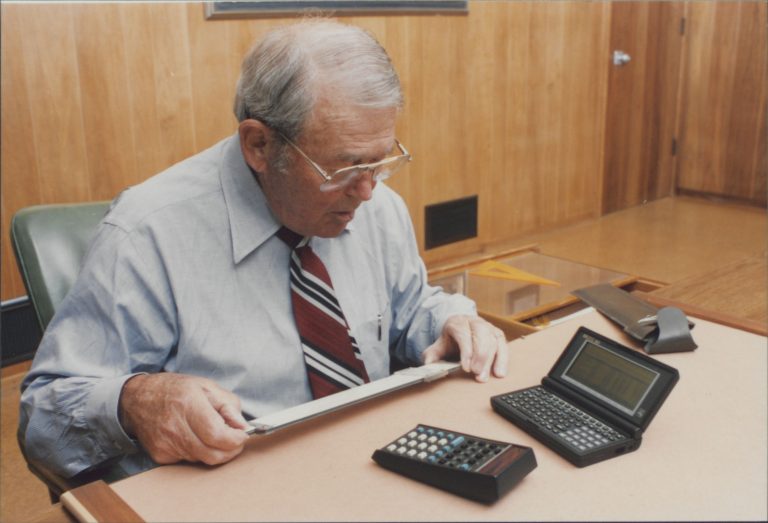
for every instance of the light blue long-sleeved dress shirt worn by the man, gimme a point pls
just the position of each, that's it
(186, 275)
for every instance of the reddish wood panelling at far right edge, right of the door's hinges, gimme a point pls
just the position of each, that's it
(723, 142)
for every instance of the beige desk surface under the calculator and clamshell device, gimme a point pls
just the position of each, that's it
(703, 456)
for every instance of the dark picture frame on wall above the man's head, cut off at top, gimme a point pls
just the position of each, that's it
(277, 8)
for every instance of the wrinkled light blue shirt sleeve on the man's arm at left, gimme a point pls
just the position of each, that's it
(115, 322)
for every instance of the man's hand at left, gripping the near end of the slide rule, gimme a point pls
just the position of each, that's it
(178, 417)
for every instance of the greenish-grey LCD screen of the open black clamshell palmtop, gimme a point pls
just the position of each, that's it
(613, 378)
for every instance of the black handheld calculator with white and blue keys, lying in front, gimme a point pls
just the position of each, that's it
(472, 467)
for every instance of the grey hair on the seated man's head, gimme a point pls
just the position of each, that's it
(283, 74)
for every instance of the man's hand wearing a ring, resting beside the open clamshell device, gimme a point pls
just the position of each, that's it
(481, 347)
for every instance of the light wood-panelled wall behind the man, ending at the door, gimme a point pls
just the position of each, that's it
(131, 88)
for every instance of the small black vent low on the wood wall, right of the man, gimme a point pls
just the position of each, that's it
(449, 222)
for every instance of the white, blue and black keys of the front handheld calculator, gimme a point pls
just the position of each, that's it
(441, 447)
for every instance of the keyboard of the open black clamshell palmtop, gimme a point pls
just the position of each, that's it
(572, 425)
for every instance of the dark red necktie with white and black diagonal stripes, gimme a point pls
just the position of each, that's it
(331, 353)
